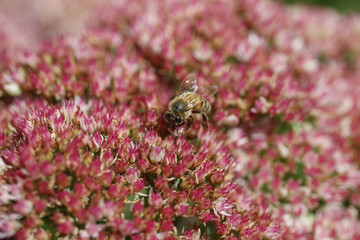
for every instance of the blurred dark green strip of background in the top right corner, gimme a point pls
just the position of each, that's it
(345, 6)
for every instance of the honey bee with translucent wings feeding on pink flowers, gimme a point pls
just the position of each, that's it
(187, 102)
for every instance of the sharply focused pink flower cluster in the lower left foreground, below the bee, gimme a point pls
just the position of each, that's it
(69, 174)
